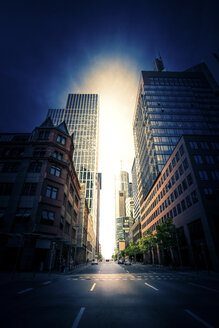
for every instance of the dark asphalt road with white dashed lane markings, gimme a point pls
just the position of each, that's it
(109, 295)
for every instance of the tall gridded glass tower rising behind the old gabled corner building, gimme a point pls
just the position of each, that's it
(81, 116)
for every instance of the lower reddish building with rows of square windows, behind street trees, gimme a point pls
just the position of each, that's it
(187, 190)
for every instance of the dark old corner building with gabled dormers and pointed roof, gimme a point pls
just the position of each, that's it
(39, 199)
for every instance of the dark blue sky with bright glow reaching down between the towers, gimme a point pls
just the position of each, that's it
(52, 48)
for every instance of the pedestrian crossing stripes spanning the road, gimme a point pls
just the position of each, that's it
(131, 277)
